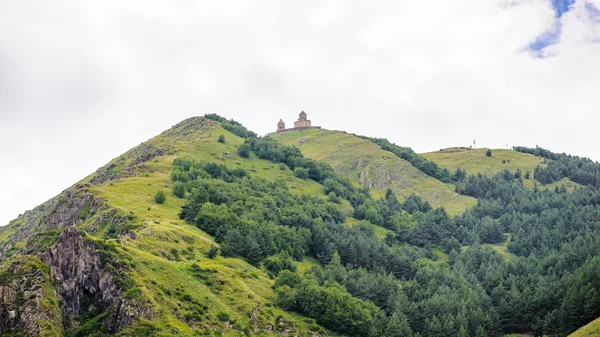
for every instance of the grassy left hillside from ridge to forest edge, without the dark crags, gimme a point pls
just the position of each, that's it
(182, 292)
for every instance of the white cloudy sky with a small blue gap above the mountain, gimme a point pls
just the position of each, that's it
(83, 81)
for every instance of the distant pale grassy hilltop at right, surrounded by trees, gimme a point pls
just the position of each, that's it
(475, 161)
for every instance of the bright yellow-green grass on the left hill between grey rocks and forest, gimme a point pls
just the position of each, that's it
(233, 287)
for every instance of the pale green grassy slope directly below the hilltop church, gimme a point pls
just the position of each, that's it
(355, 157)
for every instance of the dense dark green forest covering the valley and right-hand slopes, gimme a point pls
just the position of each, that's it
(547, 282)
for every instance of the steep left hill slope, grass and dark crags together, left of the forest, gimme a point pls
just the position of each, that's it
(122, 264)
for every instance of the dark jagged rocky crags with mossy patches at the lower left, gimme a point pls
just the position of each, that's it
(71, 279)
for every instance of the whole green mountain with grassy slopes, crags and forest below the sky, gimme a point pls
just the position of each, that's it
(208, 229)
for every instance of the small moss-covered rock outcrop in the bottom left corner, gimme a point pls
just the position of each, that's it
(28, 303)
